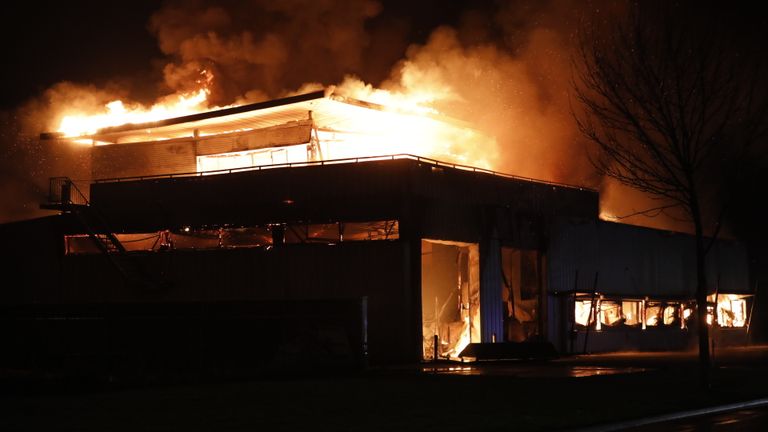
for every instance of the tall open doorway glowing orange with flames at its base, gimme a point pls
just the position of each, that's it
(450, 297)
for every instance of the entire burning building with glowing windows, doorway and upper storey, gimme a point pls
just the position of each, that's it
(272, 234)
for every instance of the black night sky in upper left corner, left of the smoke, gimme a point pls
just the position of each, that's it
(84, 41)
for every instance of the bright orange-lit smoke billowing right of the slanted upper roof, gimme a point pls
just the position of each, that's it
(515, 98)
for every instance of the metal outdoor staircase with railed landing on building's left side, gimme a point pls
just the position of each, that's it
(65, 196)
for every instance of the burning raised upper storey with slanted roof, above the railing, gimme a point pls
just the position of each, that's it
(319, 126)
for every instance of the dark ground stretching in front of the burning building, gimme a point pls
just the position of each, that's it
(568, 393)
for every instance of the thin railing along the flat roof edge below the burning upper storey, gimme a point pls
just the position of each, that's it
(363, 159)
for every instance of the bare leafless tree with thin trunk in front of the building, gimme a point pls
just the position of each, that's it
(674, 107)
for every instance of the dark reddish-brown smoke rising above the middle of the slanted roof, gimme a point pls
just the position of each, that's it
(261, 49)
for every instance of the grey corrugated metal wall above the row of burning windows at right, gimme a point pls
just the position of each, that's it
(637, 261)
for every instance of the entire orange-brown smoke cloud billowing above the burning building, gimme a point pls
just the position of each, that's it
(502, 67)
